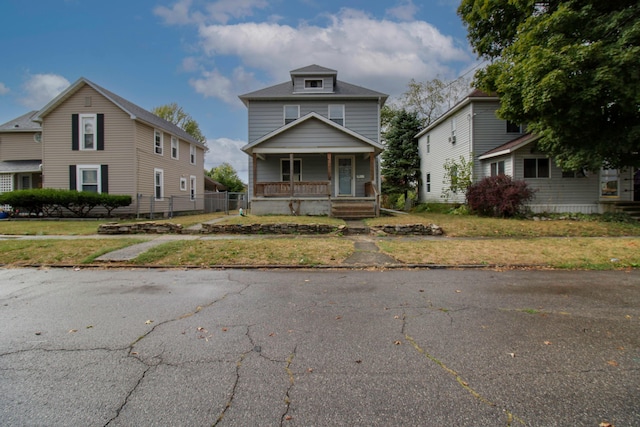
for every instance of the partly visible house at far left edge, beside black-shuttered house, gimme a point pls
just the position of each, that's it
(20, 154)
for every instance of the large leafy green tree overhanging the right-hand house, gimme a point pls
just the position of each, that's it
(569, 69)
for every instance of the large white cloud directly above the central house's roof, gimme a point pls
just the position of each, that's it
(379, 54)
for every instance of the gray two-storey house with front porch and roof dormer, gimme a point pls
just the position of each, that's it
(313, 146)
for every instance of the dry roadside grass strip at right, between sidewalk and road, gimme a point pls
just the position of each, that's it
(579, 253)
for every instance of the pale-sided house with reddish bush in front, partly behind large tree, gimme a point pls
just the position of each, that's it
(472, 130)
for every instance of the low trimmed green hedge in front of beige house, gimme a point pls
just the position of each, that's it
(51, 202)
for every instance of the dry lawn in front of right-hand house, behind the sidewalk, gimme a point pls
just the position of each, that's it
(473, 226)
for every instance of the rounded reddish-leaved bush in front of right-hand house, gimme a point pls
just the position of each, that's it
(498, 196)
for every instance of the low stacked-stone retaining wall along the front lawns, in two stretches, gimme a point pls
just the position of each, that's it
(151, 227)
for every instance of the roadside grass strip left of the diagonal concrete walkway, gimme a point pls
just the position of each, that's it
(58, 251)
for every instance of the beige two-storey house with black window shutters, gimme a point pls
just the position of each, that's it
(95, 140)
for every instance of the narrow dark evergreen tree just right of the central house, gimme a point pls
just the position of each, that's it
(400, 160)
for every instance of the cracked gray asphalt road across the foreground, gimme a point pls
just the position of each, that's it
(319, 348)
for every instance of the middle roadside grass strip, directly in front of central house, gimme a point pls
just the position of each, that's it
(264, 251)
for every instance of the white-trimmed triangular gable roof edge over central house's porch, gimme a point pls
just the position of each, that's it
(371, 146)
